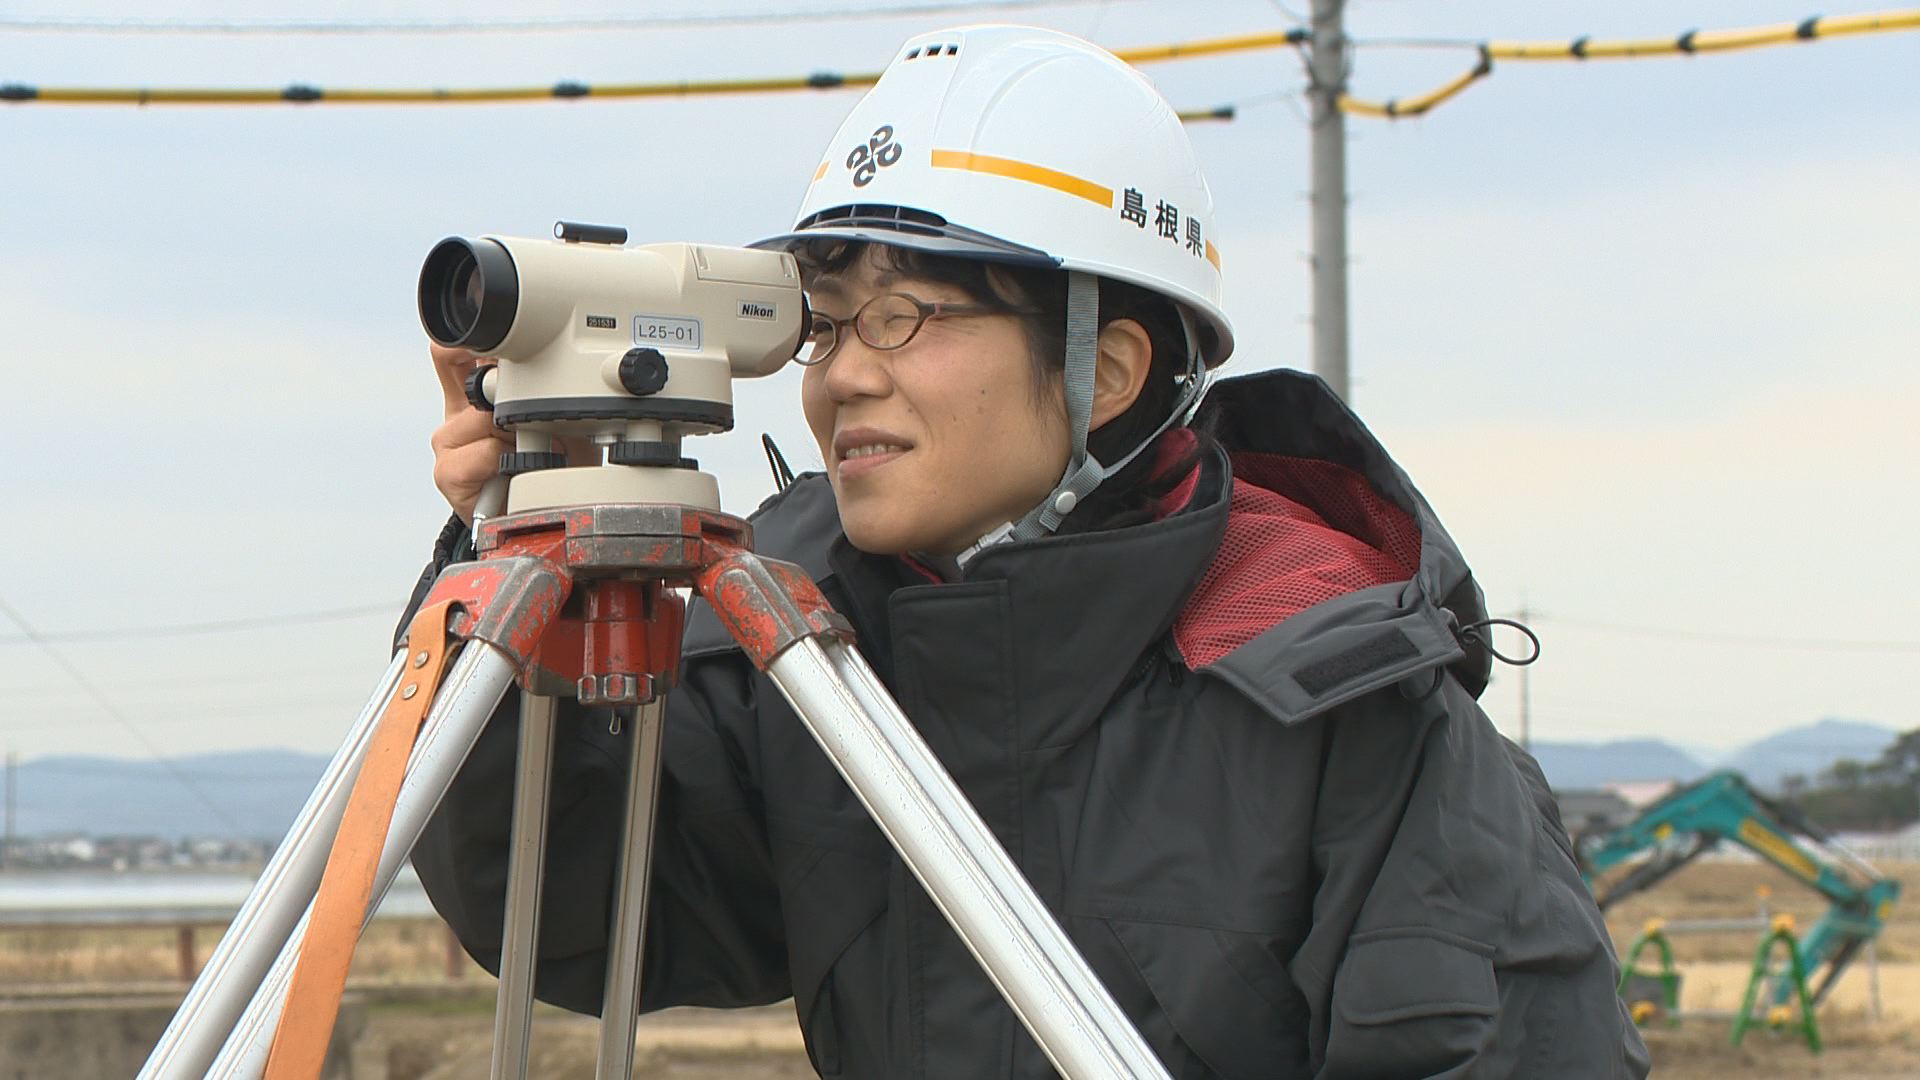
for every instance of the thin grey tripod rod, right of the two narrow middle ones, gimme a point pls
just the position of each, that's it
(621, 1004)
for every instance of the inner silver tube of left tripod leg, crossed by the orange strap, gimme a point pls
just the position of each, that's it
(462, 710)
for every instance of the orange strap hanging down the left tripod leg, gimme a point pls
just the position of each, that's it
(341, 906)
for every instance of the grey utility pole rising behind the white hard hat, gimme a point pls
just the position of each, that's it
(1326, 86)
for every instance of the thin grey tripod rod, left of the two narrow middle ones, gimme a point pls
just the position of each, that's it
(514, 1010)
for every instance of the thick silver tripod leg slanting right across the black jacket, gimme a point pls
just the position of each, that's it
(963, 868)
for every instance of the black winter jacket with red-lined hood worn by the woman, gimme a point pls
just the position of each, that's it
(1236, 750)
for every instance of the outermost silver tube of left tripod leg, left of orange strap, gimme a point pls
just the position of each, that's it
(268, 916)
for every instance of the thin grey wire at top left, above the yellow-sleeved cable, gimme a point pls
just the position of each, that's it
(510, 24)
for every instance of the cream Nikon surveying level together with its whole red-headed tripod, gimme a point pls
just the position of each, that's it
(579, 593)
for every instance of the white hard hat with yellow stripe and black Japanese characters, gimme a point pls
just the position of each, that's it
(1030, 147)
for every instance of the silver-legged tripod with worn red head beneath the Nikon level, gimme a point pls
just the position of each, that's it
(583, 601)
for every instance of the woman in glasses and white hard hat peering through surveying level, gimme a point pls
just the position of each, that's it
(1211, 685)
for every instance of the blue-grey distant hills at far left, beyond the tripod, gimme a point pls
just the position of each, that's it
(258, 795)
